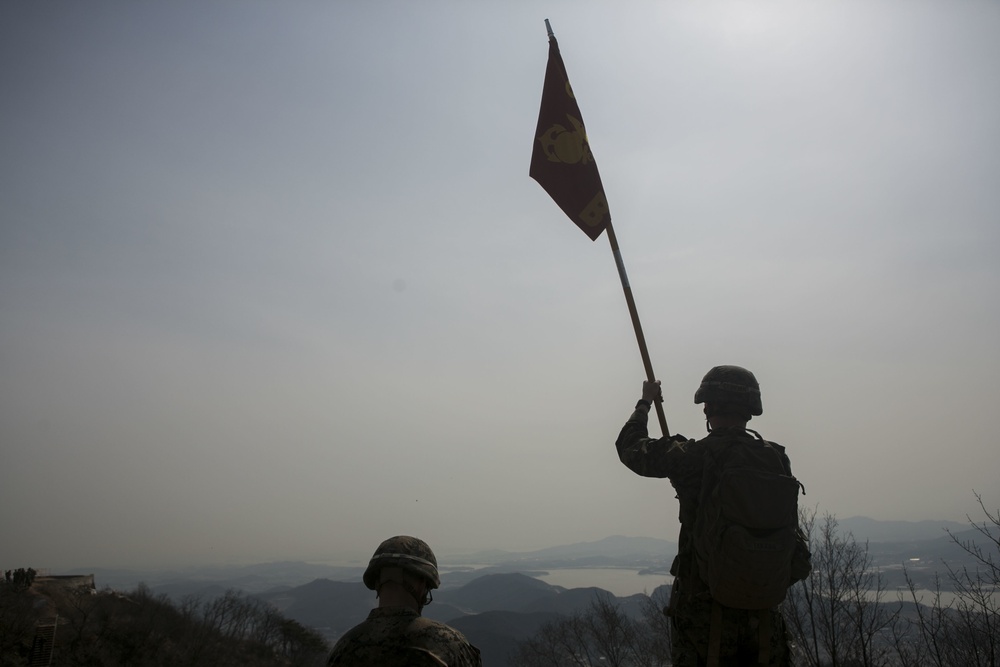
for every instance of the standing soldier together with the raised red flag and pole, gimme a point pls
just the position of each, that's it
(739, 546)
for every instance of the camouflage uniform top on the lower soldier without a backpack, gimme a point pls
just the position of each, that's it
(397, 636)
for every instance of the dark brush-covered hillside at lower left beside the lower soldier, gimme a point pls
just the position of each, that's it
(52, 621)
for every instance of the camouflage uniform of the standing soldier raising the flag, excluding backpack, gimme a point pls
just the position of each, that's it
(682, 461)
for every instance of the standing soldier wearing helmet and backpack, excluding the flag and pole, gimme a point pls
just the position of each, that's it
(739, 546)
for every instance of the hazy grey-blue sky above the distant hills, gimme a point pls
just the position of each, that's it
(275, 283)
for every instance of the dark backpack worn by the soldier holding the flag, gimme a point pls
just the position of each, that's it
(746, 525)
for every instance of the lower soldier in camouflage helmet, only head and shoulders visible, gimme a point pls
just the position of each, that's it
(402, 572)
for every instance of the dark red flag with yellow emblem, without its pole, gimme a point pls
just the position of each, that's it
(561, 160)
